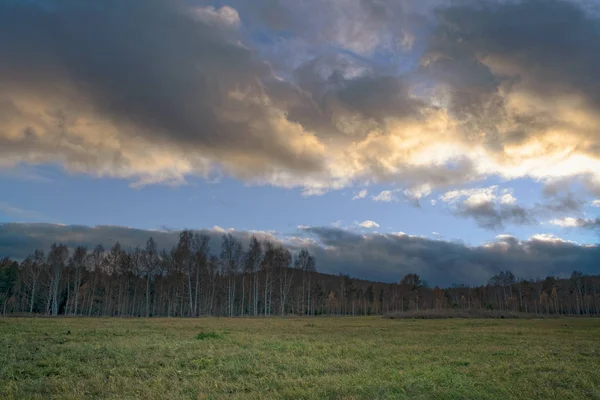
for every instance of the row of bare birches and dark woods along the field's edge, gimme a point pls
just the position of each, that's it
(259, 279)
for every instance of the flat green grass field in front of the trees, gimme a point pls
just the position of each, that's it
(299, 358)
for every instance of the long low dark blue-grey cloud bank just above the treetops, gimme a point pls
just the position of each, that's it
(373, 256)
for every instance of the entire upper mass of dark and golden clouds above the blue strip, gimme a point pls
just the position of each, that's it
(426, 95)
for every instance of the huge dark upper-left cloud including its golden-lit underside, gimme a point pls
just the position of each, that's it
(146, 108)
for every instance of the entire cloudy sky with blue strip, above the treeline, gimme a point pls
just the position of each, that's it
(338, 125)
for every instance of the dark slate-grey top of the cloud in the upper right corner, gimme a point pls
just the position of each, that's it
(553, 42)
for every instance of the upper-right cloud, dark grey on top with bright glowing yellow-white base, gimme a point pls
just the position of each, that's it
(505, 69)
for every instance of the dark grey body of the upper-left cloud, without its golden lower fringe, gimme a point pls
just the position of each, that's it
(162, 67)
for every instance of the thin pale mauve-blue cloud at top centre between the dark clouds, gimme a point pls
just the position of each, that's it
(361, 27)
